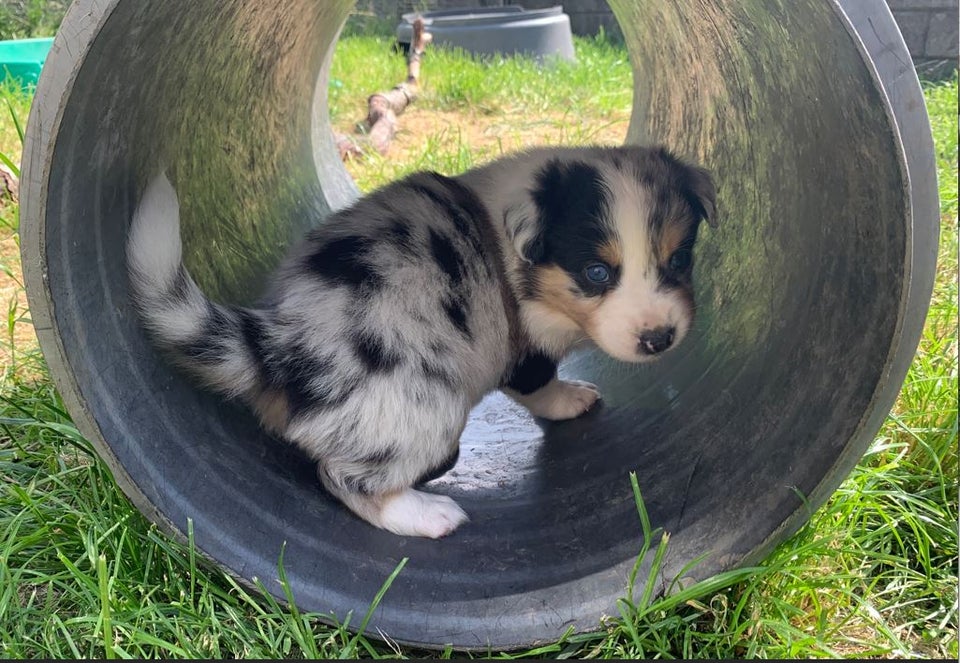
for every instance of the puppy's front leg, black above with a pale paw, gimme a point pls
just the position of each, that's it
(535, 385)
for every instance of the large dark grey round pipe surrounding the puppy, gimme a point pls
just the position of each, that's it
(812, 294)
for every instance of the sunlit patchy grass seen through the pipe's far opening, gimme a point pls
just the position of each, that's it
(512, 98)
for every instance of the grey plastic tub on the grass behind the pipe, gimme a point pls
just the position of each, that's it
(540, 33)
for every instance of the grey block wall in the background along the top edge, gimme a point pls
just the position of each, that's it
(931, 28)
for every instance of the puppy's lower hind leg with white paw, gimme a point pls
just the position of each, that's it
(383, 497)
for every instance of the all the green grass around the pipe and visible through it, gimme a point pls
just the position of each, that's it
(873, 573)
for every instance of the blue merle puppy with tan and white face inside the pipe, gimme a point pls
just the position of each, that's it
(394, 317)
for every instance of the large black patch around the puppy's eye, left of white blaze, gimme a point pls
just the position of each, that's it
(570, 200)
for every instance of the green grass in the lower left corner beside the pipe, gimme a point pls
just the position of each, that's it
(84, 575)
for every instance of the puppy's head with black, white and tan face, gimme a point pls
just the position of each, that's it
(606, 242)
